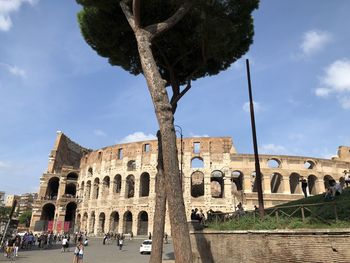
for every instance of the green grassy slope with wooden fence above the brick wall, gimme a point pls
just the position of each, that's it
(323, 215)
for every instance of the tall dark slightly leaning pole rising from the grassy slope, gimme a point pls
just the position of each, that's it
(256, 154)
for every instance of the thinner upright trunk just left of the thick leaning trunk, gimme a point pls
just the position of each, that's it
(160, 208)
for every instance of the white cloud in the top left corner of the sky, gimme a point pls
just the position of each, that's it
(10, 6)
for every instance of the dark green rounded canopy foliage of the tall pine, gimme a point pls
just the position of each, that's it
(213, 35)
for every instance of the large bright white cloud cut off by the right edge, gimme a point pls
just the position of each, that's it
(336, 80)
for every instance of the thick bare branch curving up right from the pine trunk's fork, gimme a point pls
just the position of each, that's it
(158, 28)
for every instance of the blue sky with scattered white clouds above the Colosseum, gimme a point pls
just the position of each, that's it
(50, 80)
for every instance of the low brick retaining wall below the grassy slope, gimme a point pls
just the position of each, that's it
(302, 246)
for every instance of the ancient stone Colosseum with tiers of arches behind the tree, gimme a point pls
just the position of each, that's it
(113, 189)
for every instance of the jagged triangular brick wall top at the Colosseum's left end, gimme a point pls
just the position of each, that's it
(65, 153)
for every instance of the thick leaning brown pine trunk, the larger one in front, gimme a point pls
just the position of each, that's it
(165, 117)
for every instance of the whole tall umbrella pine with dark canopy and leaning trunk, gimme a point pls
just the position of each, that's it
(171, 43)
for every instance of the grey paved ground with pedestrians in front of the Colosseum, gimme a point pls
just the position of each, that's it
(94, 253)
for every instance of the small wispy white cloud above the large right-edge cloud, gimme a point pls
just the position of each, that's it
(314, 41)
